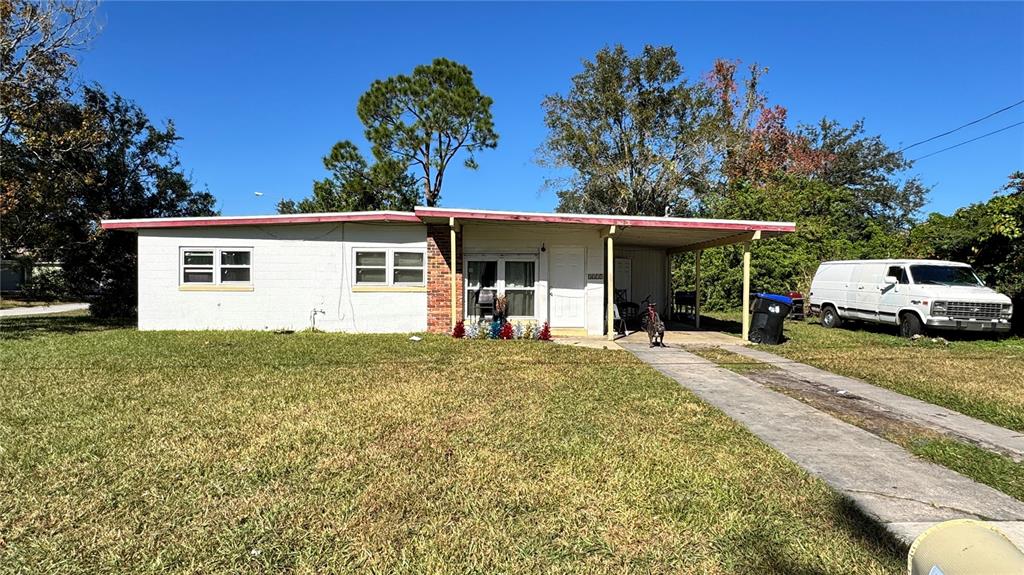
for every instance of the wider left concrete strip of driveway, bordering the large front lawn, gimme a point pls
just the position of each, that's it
(904, 494)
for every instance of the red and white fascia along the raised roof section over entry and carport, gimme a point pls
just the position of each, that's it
(631, 223)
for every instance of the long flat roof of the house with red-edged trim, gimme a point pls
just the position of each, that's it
(681, 235)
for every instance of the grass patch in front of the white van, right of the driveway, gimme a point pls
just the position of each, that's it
(982, 378)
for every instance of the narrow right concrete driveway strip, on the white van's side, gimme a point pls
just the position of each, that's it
(942, 420)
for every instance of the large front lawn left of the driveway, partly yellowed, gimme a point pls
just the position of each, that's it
(125, 452)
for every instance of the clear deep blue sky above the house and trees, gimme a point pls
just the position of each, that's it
(262, 92)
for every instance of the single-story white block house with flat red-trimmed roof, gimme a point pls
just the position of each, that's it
(392, 272)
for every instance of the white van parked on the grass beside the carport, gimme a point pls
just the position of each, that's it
(912, 294)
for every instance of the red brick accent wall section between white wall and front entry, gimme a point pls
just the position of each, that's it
(439, 278)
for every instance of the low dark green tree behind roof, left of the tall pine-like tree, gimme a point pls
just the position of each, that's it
(356, 187)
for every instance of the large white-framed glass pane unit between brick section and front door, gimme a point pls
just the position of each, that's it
(489, 278)
